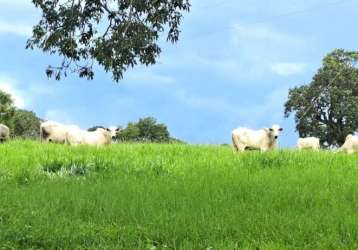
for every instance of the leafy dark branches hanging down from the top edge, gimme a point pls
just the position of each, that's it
(115, 34)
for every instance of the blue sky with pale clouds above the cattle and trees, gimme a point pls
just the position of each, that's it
(232, 67)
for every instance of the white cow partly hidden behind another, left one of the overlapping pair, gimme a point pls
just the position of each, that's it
(51, 131)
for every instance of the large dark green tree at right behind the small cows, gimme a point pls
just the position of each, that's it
(328, 106)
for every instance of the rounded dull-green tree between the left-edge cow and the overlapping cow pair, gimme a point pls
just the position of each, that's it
(25, 124)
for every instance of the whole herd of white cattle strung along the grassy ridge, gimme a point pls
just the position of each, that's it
(242, 138)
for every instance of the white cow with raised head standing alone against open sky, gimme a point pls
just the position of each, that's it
(263, 139)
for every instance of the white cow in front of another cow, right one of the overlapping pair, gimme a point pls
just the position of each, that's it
(98, 137)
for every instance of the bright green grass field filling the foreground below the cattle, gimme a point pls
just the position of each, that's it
(145, 196)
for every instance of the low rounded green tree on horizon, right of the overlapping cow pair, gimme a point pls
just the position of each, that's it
(146, 129)
